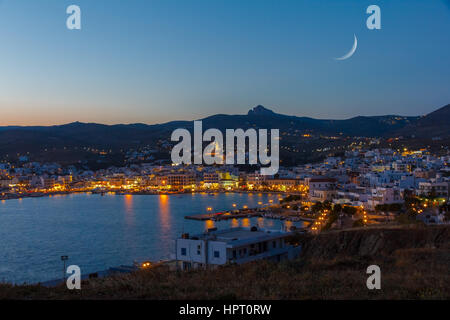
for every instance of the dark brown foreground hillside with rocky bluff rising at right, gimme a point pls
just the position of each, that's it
(414, 263)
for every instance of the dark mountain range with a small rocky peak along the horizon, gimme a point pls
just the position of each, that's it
(16, 139)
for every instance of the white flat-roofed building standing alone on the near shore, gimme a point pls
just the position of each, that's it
(234, 245)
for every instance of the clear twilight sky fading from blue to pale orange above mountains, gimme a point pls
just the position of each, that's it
(153, 61)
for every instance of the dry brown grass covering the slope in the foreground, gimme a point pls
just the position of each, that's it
(406, 273)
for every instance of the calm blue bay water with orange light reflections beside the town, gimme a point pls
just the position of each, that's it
(98, 232)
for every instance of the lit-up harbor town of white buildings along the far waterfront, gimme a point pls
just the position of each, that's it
(362, 187)
